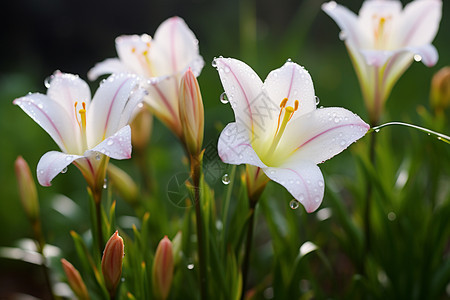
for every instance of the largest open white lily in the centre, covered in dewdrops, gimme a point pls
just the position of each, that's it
(279, 129)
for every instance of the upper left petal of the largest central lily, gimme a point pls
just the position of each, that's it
(243, 89)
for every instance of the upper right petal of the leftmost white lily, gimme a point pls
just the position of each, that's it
(103, 115)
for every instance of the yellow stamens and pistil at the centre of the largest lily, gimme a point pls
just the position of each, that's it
(286, 113)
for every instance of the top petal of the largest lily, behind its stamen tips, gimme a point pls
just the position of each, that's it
(291, 81)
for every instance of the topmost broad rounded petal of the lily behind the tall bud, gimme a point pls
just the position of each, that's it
(174, 47)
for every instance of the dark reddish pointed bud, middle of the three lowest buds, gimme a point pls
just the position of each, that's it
(112, 262)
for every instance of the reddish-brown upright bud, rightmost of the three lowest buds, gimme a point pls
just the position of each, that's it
(162, 272)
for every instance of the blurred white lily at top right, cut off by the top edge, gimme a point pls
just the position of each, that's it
(383, 41)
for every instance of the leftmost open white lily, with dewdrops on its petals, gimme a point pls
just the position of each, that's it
(87, 132)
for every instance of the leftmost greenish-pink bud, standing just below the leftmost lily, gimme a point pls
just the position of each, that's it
(27, 189)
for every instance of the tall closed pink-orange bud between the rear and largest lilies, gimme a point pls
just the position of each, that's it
(191, 113)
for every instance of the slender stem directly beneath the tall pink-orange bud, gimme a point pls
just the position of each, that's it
(196, 174)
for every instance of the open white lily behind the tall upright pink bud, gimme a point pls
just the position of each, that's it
(162, 61)
